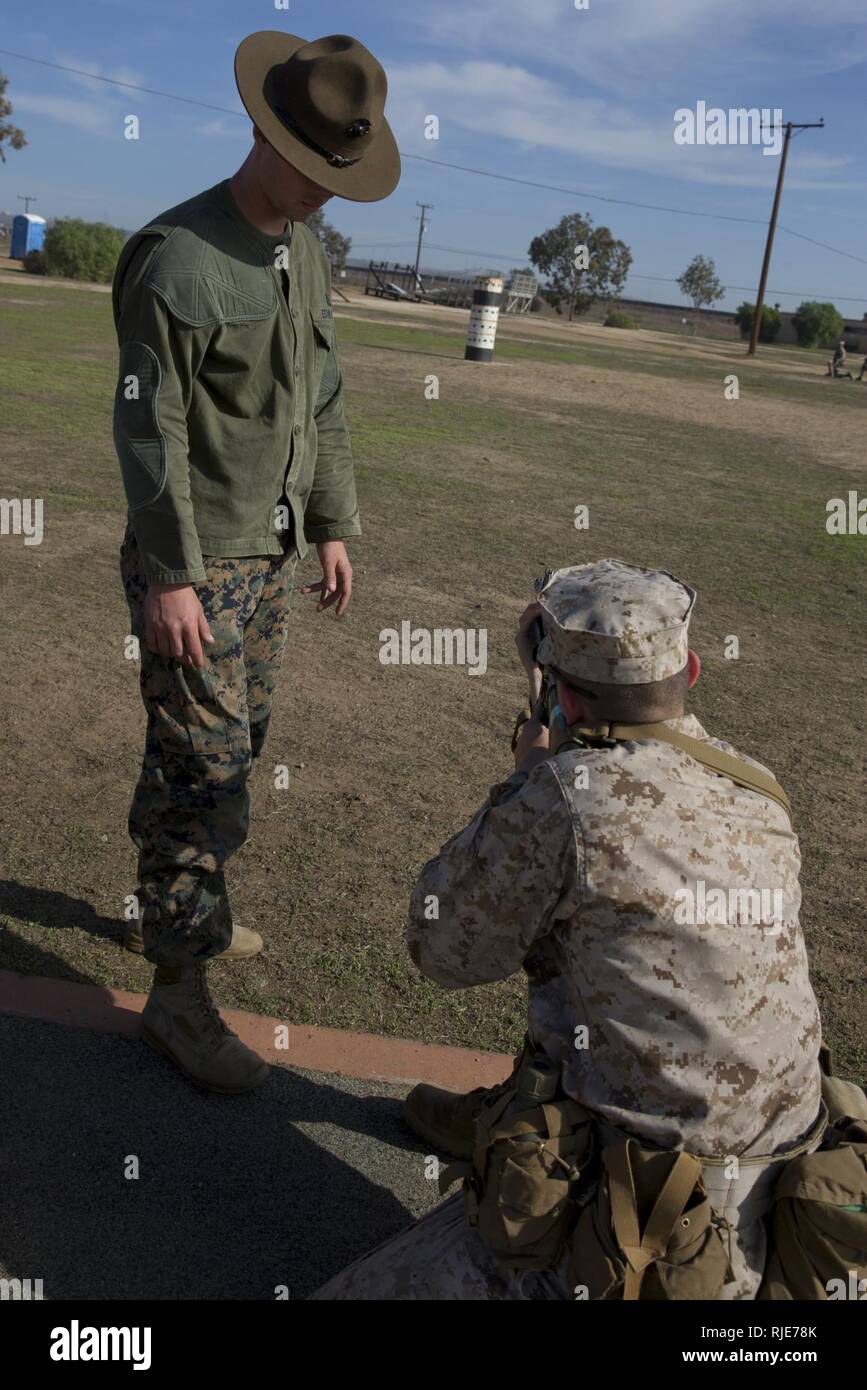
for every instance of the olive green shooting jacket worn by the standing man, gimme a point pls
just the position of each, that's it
(229, 418)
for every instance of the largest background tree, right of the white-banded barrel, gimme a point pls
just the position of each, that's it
(583, 263)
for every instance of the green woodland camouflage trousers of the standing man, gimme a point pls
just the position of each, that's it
(205, 732)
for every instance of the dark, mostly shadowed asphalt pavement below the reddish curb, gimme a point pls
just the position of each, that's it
(236, 1197)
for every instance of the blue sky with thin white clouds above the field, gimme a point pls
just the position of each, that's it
(538, 90)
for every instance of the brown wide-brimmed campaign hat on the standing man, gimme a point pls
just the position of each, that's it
(322, 108)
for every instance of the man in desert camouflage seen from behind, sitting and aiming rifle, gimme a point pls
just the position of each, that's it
(661, 1036)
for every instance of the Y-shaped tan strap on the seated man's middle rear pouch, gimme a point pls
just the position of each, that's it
(644, 1249)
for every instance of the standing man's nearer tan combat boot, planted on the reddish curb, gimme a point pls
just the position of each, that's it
(181, 1021)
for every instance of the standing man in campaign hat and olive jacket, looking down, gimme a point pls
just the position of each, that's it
(230, 430)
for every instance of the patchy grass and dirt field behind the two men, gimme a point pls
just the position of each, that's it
(466, 498)
